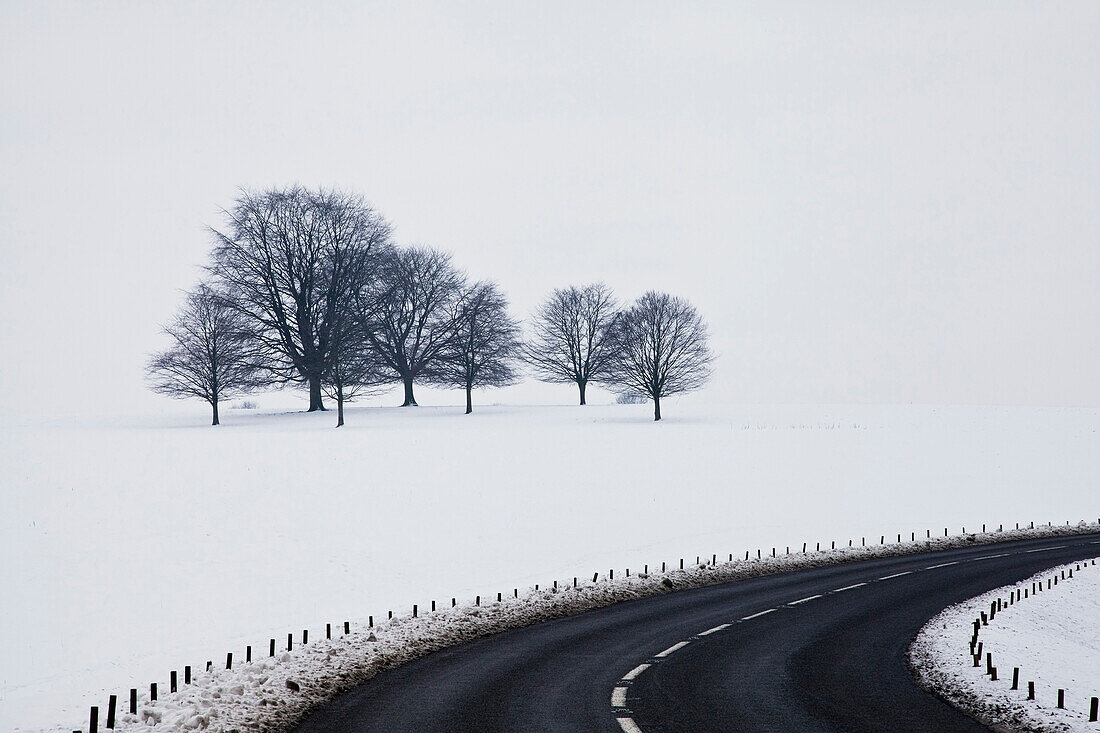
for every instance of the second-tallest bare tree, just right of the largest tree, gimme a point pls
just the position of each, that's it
(414, 304)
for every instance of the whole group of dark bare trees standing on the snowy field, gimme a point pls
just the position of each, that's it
(307, 288)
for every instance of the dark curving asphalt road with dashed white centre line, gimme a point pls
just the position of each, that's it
(820, 650)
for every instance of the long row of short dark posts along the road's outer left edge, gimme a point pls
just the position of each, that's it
(94, 718)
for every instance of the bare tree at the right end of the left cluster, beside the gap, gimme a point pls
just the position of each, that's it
(486, 344)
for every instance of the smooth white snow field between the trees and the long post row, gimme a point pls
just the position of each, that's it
(133, 550)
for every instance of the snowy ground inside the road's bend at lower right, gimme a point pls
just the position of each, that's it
(1047, 627)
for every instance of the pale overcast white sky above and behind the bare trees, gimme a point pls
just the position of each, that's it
(873, 203)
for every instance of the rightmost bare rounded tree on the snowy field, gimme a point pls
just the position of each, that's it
(661, 345)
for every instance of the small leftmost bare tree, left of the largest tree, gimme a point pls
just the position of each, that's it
(210, 355)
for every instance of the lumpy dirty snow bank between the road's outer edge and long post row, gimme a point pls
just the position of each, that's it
(274, 694)
